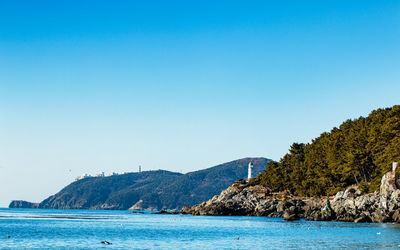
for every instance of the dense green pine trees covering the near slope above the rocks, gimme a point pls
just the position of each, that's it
(360, 151)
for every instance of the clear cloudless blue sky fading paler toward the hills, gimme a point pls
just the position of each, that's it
(90, 86)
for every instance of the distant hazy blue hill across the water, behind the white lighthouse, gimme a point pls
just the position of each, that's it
(152, 190)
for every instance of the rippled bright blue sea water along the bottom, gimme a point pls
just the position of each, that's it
(85, 229)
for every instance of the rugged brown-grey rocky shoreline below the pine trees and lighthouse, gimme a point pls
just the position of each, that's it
(350, 205)
